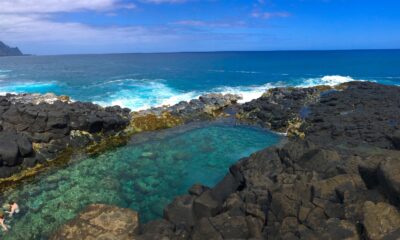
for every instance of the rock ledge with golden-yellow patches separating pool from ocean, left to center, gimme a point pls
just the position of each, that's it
(38, 131)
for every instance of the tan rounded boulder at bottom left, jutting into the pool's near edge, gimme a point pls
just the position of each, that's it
(100, 221)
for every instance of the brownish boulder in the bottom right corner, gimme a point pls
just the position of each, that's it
(381, 221)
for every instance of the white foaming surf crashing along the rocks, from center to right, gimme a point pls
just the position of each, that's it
(139, 94)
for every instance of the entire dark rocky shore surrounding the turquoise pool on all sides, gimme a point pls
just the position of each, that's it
(337, 177)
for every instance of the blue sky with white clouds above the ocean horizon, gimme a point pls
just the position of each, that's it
(120, 26)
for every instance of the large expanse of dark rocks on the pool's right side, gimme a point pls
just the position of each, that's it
(339, 180)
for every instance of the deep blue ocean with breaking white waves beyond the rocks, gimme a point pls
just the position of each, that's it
(139, 81)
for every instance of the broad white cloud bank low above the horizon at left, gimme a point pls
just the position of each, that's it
(40, 31)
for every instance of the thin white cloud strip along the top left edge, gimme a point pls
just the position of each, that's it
(54, 6)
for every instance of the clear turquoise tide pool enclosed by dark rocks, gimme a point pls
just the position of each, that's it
(145, 175)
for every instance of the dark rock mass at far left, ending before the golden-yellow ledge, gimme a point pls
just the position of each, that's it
(35, 128)
